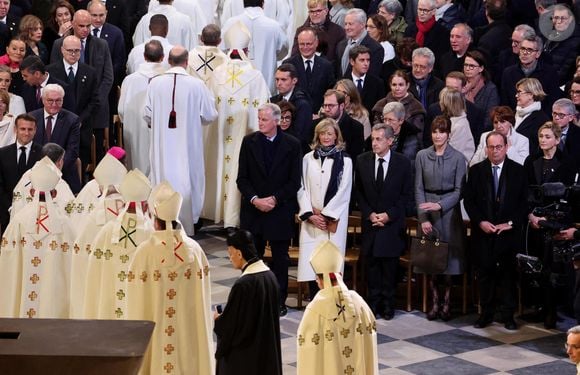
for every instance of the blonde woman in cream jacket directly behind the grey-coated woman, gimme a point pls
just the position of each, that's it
(453, 106)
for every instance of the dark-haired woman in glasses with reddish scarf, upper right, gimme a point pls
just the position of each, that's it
(479, 90)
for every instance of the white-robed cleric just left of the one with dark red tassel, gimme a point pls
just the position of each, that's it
(136, 134)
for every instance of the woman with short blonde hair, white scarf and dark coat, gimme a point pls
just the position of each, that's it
(529, 114)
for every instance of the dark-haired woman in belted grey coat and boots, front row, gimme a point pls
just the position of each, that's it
(439, 174)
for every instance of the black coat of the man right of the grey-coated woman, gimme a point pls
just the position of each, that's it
(510, 206)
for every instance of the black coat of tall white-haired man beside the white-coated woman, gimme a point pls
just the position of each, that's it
(282, 181)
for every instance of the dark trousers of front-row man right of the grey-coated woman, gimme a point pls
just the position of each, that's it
(495, 276)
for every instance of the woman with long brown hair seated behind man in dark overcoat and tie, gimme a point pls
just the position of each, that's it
(399, 83)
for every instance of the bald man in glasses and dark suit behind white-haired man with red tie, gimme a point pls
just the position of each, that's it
(82, 80)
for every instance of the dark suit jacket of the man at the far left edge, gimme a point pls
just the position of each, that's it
(9, 176)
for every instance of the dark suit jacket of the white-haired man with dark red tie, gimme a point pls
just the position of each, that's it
(65, 133)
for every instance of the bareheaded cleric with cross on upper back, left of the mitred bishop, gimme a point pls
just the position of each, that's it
(204, 59)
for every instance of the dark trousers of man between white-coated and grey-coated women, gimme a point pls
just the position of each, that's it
(382, 282)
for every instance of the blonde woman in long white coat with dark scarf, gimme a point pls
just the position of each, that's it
(324, 196)
